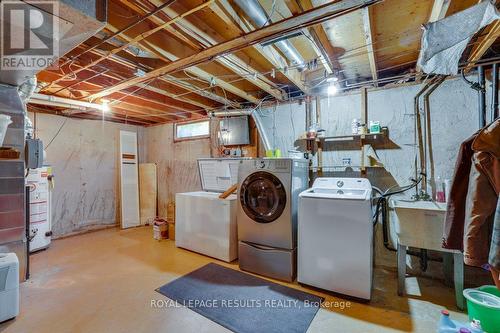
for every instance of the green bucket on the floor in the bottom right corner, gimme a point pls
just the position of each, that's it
(483, 305)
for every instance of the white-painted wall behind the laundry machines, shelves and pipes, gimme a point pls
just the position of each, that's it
(454, 117)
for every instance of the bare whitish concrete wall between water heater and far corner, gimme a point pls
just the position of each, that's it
(84, 157)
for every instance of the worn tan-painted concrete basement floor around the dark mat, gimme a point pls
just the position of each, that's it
(105, 282)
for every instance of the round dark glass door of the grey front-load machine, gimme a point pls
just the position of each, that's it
(263, 197)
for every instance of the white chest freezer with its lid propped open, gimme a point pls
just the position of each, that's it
(203, 222)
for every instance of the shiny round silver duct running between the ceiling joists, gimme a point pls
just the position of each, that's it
(258, 15)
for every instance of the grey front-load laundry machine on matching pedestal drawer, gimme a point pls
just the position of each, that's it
(267, 215)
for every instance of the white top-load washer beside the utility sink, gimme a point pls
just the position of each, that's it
(335, 236)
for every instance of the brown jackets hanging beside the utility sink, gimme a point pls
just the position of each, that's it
(474, 195)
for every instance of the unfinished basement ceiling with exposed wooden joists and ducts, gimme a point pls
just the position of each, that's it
(155, 61)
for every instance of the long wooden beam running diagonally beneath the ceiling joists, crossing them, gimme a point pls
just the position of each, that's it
(308, 18)
